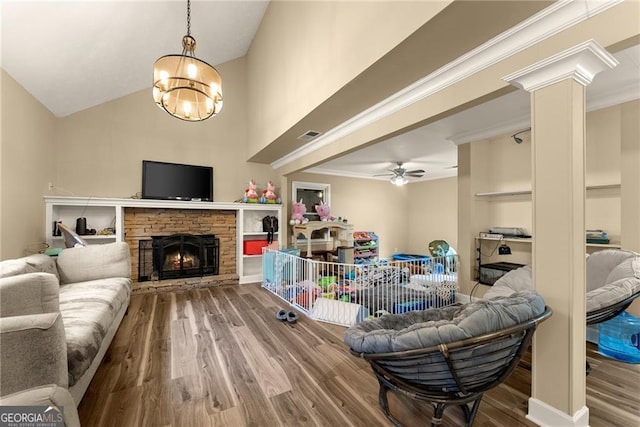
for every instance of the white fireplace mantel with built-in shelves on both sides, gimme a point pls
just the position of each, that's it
(105, 213)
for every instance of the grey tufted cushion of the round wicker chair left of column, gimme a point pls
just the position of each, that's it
(420, 329)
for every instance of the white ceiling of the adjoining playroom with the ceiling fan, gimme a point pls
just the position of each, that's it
(434, 147)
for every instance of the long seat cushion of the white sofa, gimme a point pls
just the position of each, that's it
(88, 309)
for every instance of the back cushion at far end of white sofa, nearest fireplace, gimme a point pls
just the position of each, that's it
(105, 261)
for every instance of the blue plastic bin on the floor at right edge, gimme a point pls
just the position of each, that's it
(619, 338)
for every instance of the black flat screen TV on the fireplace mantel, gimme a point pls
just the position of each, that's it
(174, 181)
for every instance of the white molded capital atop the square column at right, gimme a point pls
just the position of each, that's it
(581, 63)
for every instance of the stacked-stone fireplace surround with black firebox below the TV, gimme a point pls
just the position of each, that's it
(168, 227)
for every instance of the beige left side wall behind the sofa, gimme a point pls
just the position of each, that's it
(26, 147)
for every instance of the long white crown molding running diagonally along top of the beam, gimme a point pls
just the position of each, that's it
(557, 17)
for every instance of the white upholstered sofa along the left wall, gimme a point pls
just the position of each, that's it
(57, 319)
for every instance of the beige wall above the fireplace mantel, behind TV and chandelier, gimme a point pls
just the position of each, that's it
(99, 151)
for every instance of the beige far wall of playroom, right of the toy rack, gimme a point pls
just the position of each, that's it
(432, 214)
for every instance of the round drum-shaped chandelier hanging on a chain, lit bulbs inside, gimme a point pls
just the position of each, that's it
(184, 86)
